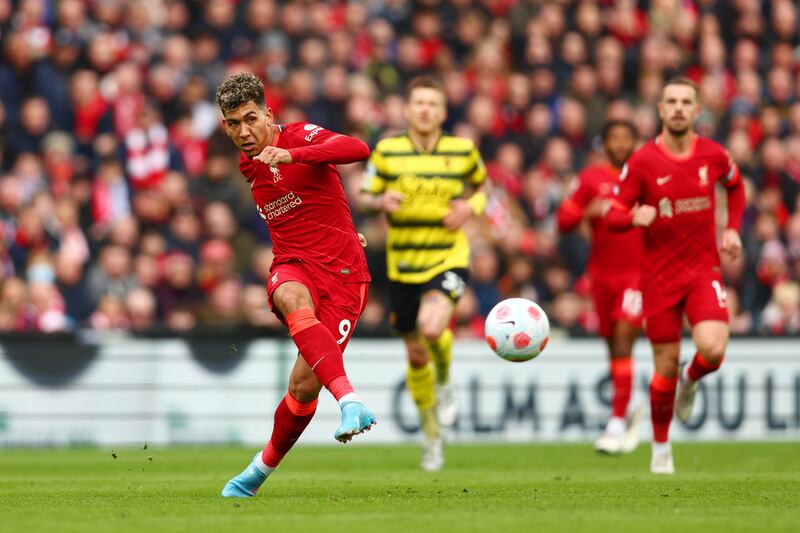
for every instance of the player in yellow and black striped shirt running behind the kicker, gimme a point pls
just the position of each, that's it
(429, 184)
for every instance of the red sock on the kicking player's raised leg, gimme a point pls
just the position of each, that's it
(319, 349)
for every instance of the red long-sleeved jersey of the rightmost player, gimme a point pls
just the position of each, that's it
(680, 245)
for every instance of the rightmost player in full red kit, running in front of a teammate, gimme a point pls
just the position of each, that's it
(667, 188)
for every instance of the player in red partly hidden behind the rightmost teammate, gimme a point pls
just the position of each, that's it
(615, 284)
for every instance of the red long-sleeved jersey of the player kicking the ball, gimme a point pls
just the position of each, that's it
(303, 203)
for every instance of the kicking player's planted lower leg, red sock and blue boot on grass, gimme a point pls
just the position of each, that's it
(291, 419)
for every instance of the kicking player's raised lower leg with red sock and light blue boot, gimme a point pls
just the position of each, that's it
(323, 356)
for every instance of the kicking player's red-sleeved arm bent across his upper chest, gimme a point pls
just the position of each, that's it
(324, 147)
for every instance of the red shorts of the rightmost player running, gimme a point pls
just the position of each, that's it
(703, 299)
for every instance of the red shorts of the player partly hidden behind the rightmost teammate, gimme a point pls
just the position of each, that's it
(615, 300)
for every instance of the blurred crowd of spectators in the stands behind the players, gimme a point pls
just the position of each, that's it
(122, 207)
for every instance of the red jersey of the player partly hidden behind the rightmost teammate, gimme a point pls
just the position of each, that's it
(598, 181)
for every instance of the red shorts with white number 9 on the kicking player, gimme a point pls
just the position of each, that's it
(338, 305)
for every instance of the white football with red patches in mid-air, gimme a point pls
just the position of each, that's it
(517, 329)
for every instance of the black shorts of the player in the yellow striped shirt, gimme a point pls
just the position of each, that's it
(405, 297)
